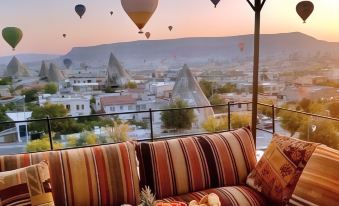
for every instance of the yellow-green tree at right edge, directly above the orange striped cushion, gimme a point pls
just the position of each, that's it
(324, 132)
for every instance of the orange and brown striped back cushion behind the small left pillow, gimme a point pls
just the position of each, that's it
(101, 175)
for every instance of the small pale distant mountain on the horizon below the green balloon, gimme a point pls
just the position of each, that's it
(28, 58)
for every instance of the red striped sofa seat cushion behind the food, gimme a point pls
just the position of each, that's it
(236, 195)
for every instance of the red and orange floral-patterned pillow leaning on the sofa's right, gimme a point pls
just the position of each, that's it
(278, 171)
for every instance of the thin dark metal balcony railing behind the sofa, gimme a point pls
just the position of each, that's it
(161, 136)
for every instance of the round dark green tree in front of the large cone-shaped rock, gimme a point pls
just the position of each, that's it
(178, 119)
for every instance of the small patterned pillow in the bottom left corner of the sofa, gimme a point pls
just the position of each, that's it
(26, 186)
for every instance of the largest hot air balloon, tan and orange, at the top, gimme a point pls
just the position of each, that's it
(140, 11)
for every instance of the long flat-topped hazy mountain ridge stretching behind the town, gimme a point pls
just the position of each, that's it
(201, 49)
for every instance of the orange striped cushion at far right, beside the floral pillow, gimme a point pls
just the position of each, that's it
(318, 184)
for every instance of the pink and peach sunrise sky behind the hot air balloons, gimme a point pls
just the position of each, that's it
(44, 21)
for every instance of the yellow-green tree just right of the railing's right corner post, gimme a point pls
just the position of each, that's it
(292, 121)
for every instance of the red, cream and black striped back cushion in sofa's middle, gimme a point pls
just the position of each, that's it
(180, 166)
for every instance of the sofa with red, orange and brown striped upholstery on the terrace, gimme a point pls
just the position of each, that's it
(181, 169)
